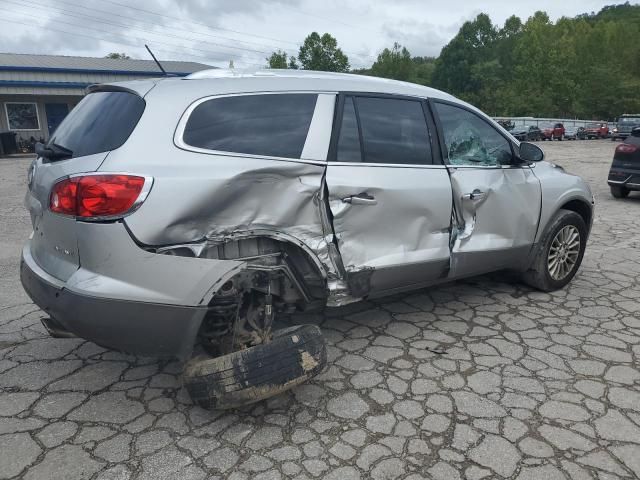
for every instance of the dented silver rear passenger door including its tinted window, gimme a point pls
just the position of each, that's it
(390, 201)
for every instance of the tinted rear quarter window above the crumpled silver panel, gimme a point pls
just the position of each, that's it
(274, 125)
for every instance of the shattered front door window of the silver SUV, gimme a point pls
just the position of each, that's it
(470, 140)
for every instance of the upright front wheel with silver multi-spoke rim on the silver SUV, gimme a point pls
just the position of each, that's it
(559, 254)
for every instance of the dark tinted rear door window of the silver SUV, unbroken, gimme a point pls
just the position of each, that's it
(391, 130)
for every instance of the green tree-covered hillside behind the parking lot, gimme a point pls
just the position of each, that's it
(586, 67)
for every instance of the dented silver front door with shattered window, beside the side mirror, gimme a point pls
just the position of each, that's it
(497, 204)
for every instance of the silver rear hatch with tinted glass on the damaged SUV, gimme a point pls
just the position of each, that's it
(100, 123)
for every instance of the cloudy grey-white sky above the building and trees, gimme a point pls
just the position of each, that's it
(247, 31)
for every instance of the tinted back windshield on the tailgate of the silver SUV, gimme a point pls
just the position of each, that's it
(102, 121)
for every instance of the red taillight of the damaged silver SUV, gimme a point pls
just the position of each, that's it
(98, 196)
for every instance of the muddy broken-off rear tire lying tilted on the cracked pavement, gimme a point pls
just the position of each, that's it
(294, 356)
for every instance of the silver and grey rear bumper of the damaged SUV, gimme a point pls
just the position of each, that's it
(124, 297)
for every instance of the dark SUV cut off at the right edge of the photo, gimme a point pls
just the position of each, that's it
(624, 175)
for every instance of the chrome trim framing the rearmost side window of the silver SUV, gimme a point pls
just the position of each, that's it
(178, 137)
